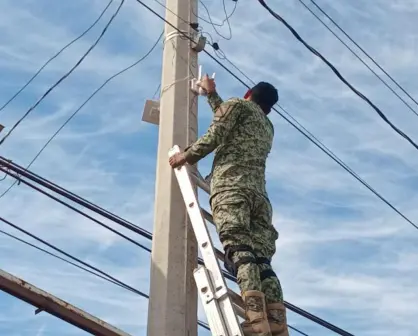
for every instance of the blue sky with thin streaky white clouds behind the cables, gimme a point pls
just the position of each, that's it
(342, 254)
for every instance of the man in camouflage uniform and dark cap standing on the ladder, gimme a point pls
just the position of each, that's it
(241, 136)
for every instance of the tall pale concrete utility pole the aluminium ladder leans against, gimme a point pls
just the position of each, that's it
(173, 297)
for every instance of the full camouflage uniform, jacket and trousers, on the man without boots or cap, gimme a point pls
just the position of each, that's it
(241, 136)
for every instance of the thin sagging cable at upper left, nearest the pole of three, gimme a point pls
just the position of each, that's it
(82, 105)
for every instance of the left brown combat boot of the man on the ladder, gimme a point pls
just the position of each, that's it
(256, 323)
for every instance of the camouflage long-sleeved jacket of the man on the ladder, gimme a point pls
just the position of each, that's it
(241, 136)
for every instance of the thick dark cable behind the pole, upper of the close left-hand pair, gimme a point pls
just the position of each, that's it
(107, 214)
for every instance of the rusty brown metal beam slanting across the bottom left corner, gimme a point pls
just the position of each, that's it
(55, 306)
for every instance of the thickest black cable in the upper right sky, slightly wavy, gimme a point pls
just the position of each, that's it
(358, 93)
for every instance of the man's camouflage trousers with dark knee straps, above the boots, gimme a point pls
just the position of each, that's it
(244, 217)
